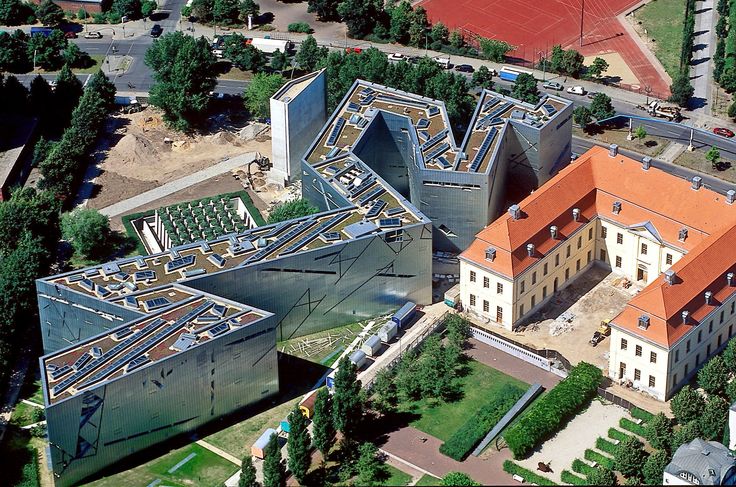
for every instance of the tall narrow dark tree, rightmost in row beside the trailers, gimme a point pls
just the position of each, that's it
(347, 399)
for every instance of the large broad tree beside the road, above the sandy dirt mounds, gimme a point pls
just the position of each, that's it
(184, 70)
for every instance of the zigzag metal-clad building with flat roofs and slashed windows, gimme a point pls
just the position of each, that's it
(185, 336)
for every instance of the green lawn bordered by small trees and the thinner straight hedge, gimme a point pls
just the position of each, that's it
(441, 419)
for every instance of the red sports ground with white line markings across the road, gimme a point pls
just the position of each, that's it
(536, 27)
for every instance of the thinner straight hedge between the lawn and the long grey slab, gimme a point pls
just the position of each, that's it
(462, 442)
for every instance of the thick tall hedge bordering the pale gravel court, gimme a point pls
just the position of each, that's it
(549, 414)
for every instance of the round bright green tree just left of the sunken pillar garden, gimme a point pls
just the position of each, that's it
(86, 229)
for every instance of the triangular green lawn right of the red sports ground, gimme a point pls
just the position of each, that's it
(663, 21)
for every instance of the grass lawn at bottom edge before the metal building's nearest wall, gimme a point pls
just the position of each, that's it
(204, 469)
